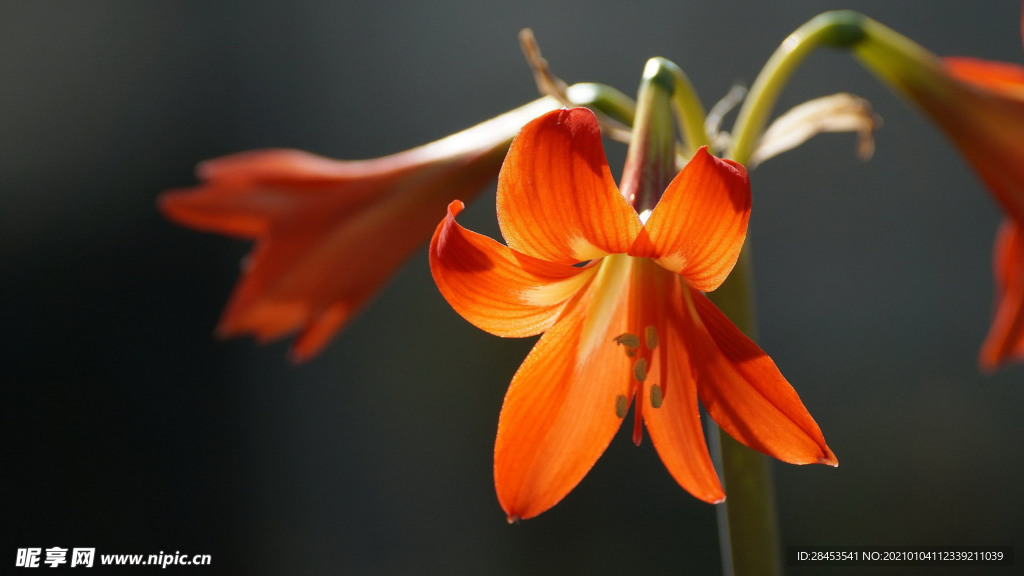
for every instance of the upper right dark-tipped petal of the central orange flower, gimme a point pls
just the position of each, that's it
(700, 225)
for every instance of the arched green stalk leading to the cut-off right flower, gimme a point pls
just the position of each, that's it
(837, 29)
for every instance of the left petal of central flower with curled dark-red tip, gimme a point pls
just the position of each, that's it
(496, 289)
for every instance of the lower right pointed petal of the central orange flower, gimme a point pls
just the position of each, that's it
(744, 391)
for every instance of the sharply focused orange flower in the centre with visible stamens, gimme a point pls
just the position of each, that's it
(618, 297)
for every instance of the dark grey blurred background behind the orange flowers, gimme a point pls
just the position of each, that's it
(127, 428)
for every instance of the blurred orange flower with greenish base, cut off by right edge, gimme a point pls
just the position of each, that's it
(980, 106)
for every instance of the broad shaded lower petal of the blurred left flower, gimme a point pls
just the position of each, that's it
(320, 265)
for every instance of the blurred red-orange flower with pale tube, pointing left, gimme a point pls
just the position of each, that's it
(331, 233)
